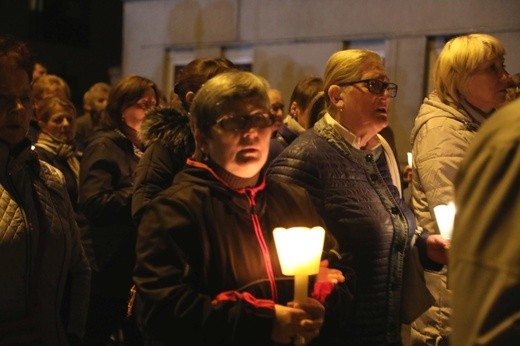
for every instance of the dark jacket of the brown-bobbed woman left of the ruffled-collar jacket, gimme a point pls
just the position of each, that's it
(106, 185)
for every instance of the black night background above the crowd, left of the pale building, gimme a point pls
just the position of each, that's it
(78, 40)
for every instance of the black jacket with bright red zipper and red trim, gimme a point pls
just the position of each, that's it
(207, 270)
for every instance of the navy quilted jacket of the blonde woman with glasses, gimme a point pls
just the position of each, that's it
(354, 194)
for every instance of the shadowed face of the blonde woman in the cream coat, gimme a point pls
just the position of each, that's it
(486, 88)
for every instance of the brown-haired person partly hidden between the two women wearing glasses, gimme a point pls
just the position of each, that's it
(299, 118)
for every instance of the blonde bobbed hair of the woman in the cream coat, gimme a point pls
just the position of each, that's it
(459, 59)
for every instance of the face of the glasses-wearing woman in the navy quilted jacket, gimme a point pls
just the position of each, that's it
(362, 111)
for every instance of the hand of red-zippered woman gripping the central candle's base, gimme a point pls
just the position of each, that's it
(303, 319)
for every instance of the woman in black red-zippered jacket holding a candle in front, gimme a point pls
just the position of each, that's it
(207, 270)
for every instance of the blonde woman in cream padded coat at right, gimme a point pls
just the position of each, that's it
(470, 83)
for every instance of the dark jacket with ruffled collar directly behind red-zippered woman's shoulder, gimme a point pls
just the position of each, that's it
(169, 142)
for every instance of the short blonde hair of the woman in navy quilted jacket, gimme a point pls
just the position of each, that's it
(347, 66)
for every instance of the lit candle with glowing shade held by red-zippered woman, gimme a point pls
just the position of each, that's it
(299, 250)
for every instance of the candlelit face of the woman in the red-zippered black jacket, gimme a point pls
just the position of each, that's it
(241, 152)
